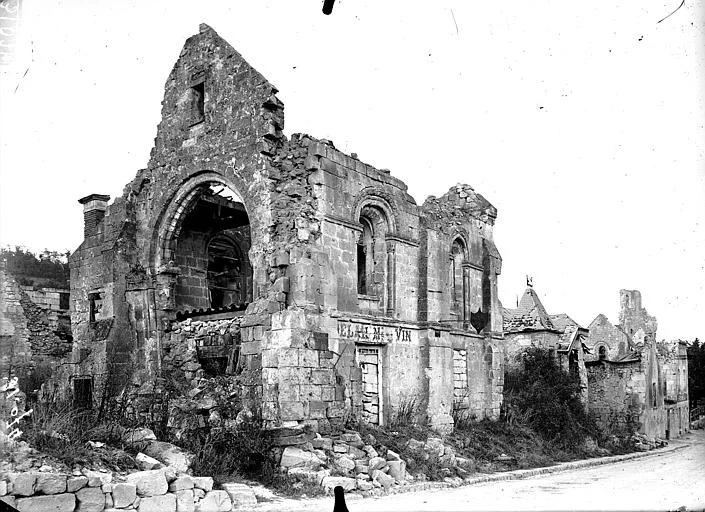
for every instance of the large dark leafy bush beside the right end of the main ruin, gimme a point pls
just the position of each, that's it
(541, 394)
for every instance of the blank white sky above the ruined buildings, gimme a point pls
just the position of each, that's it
(582, 122)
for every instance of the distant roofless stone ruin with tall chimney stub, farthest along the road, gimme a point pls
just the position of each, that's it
(635, 382)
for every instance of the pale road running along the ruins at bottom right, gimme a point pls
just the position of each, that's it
(658, 482)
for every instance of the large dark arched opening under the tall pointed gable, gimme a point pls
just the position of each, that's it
(211, 251)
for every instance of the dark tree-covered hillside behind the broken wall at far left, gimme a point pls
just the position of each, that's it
(47, 269)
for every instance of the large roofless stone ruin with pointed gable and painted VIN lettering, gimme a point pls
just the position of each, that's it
(312, 276)
